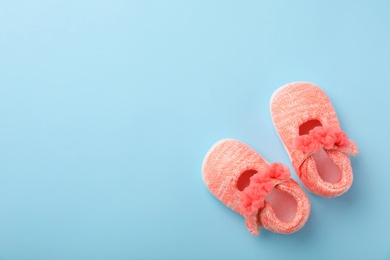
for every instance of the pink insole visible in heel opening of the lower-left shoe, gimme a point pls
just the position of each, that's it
(283, 204)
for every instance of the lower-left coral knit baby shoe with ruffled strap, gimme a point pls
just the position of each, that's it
(263, 193)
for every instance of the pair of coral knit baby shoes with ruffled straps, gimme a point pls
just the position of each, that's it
(264, 193)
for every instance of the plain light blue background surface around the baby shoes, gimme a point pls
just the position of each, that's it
(108, 107)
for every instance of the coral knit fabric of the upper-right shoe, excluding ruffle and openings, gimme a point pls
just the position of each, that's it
(291, 106)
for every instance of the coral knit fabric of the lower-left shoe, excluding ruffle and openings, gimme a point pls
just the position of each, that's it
(224, 164)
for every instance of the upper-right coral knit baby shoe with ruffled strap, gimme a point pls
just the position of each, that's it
(308, 126)
